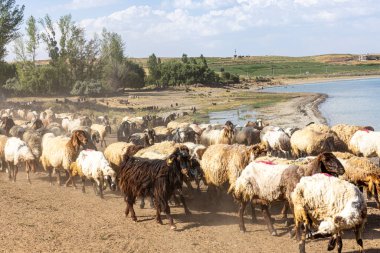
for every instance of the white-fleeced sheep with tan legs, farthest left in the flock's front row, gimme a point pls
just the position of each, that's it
(16, 151)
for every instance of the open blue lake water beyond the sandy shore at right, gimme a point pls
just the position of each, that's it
(355, 102)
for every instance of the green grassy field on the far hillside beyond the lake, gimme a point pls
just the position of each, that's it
(291, 67)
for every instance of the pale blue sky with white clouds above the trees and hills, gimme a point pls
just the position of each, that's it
(169, 28)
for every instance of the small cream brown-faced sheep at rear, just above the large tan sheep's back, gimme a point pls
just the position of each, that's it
(211, 136)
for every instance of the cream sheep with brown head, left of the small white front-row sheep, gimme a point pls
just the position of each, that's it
(60, 152)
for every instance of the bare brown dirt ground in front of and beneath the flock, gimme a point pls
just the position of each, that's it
(44, 218)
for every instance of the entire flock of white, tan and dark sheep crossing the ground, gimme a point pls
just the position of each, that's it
(322, 175)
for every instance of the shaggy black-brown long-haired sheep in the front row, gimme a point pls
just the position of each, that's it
(141, 176)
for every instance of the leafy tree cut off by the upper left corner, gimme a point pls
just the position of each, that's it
(11, 16)
